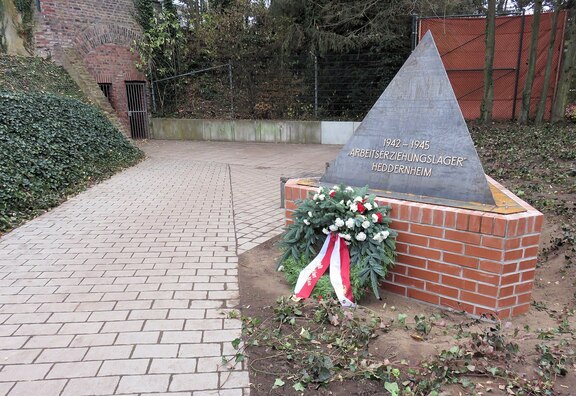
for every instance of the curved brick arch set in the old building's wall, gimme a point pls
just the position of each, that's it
(97, 35)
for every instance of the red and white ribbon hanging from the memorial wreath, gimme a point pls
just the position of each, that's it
(334, 254)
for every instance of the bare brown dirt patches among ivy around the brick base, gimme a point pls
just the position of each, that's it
(554, 293)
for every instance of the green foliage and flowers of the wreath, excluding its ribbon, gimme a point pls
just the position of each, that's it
(357, 218)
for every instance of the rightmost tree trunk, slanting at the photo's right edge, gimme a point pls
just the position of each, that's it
(567, 70)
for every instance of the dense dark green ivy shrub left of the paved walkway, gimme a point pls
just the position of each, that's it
(51, 147)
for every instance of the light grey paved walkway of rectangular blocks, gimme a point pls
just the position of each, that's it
(124, 289)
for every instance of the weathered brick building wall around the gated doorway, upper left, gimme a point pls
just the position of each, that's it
(101, 32)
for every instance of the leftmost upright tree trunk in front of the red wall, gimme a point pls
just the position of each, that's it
(488, 97)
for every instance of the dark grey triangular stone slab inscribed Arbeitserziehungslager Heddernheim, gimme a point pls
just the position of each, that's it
(415, 140)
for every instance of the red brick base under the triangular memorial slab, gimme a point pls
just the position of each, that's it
(467, 260)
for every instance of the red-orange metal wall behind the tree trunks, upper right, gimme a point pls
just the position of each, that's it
(460, 41)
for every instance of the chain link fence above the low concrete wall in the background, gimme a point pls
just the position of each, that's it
(334, 87)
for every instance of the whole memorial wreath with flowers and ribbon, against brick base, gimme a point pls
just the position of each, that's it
(350, 236)
